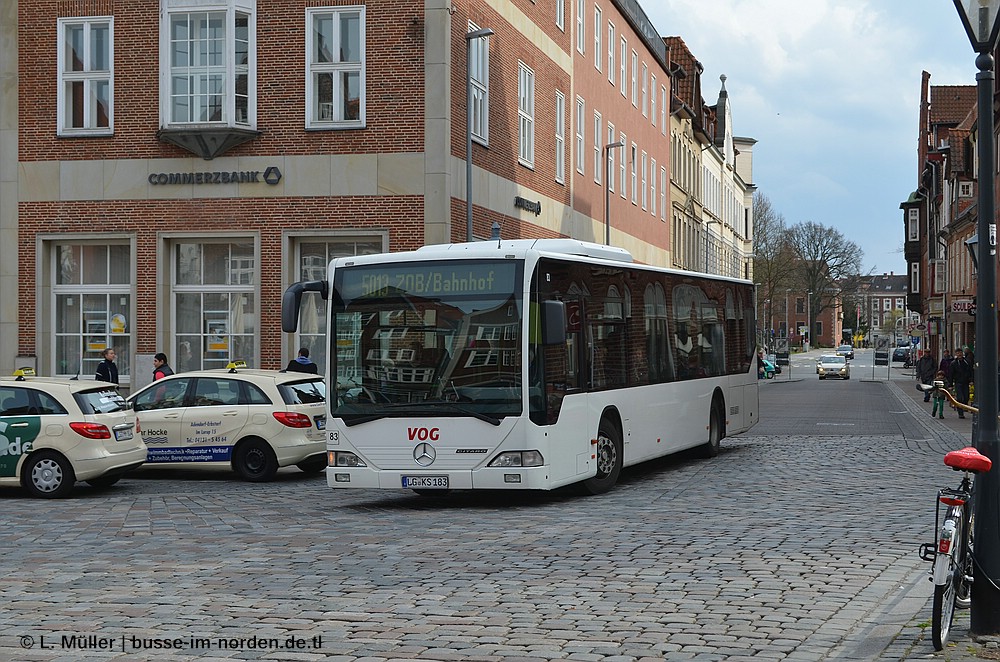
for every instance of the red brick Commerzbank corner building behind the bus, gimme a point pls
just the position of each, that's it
(169, 167)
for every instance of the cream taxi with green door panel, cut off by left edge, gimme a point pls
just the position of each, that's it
(55, 432)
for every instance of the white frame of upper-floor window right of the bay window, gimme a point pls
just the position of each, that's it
(312, 119)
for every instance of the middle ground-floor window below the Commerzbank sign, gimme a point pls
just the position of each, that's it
(214, 303)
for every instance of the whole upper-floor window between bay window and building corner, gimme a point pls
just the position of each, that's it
(335, 88)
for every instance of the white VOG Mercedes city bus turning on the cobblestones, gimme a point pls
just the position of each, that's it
(526, 364)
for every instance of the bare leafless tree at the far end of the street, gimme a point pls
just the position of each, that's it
(829, 264)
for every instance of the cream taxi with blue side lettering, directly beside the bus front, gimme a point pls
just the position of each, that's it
(253, 421)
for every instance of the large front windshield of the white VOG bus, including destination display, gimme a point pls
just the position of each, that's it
(426, 338)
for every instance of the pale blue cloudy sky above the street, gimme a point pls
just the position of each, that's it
(830, 89)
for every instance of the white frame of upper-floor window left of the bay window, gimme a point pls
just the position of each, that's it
(88, 77)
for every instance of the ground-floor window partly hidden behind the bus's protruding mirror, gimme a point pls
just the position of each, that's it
(313, 258)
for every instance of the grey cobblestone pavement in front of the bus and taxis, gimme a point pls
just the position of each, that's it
(782, 548)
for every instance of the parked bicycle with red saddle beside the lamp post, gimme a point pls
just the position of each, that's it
(952, 553)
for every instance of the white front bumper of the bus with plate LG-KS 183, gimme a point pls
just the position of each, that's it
(492, 478)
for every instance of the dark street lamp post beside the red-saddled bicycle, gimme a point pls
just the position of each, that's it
(981, 24)
